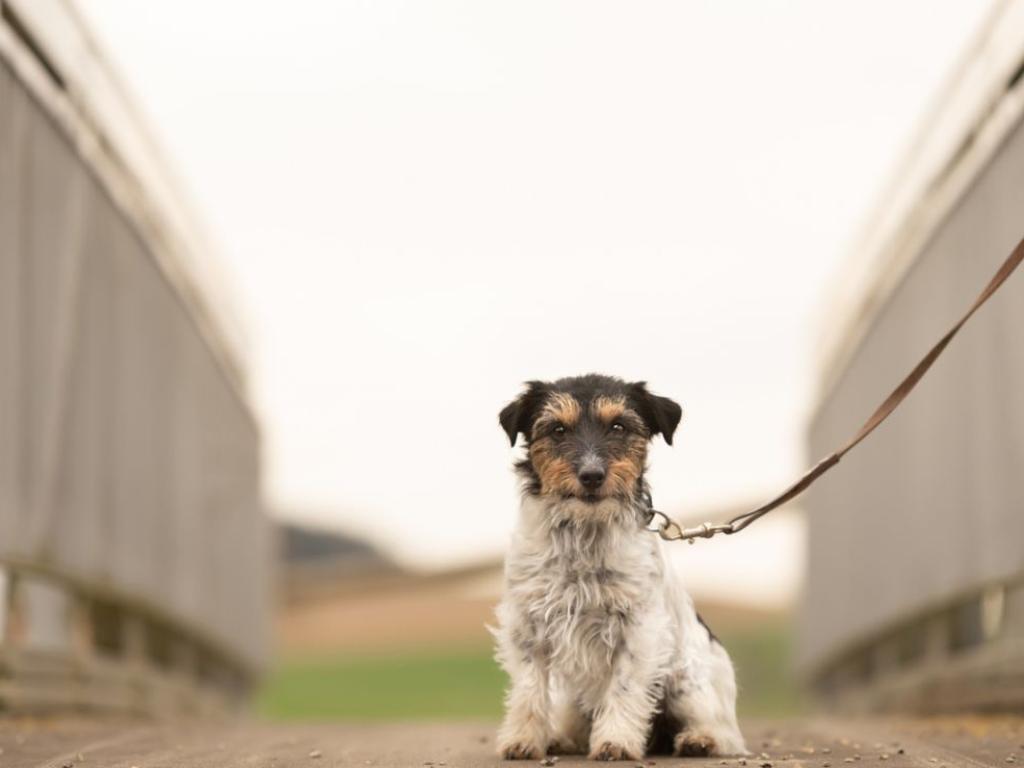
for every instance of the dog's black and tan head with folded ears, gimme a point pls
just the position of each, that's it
(587, 437)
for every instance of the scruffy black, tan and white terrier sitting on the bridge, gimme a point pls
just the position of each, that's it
(606, 653)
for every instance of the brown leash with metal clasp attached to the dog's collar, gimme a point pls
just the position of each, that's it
(671, 531)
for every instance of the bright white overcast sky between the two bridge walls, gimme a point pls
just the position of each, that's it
(423, 204)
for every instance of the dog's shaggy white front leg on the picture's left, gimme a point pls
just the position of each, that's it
(526, 733)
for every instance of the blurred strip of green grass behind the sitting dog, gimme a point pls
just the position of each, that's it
(468, 684)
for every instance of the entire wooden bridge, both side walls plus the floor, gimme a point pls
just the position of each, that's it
(136, 557)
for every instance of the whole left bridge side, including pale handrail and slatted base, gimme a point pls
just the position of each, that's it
(135, 554)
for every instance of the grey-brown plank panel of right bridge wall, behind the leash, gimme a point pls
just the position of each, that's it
(925, 518)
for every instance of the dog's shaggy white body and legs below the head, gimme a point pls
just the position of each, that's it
(596, 635)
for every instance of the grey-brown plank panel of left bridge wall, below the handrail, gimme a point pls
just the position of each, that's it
(130, 462)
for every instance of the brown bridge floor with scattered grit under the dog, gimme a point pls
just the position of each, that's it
(950, 743)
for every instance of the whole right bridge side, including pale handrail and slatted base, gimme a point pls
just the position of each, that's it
(915, 552)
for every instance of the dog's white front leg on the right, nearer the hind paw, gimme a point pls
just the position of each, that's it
(623, 718)
